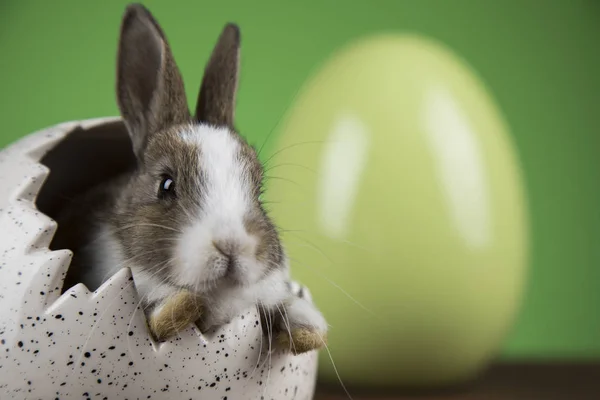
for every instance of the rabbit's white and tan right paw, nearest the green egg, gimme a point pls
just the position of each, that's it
(301, 327)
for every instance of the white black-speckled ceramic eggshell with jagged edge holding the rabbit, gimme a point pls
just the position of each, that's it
(96, 345)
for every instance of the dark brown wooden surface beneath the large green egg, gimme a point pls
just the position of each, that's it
(504, 382)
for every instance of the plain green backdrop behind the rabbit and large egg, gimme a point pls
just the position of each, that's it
(541, 61)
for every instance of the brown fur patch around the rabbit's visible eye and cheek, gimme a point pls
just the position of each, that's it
(147, 225)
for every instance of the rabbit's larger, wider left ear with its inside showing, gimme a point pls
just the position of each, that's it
(150, 90)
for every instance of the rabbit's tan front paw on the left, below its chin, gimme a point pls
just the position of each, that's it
(175, 314)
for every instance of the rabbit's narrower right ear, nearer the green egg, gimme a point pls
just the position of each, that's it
(216, 101)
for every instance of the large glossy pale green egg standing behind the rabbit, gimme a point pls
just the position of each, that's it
(400, 199)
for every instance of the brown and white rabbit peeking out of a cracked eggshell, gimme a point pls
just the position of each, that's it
(188, 219)
